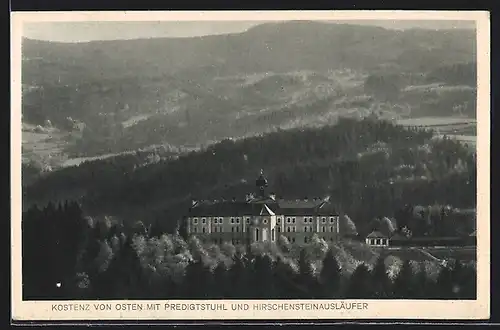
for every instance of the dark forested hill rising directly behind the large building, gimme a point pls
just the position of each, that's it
(370, 168)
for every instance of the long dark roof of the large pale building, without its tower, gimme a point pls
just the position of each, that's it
(262, 206)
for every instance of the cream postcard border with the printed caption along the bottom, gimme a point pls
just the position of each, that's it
(360, 309)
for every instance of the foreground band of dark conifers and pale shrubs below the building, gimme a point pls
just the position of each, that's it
(67, 255)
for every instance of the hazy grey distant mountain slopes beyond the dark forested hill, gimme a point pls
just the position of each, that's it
(127, 94)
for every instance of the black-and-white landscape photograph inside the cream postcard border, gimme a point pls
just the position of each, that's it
(263, 160)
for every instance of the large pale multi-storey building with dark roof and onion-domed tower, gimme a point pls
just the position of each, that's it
(263, 218)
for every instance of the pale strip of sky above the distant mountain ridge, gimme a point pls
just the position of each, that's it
(86, 31)
